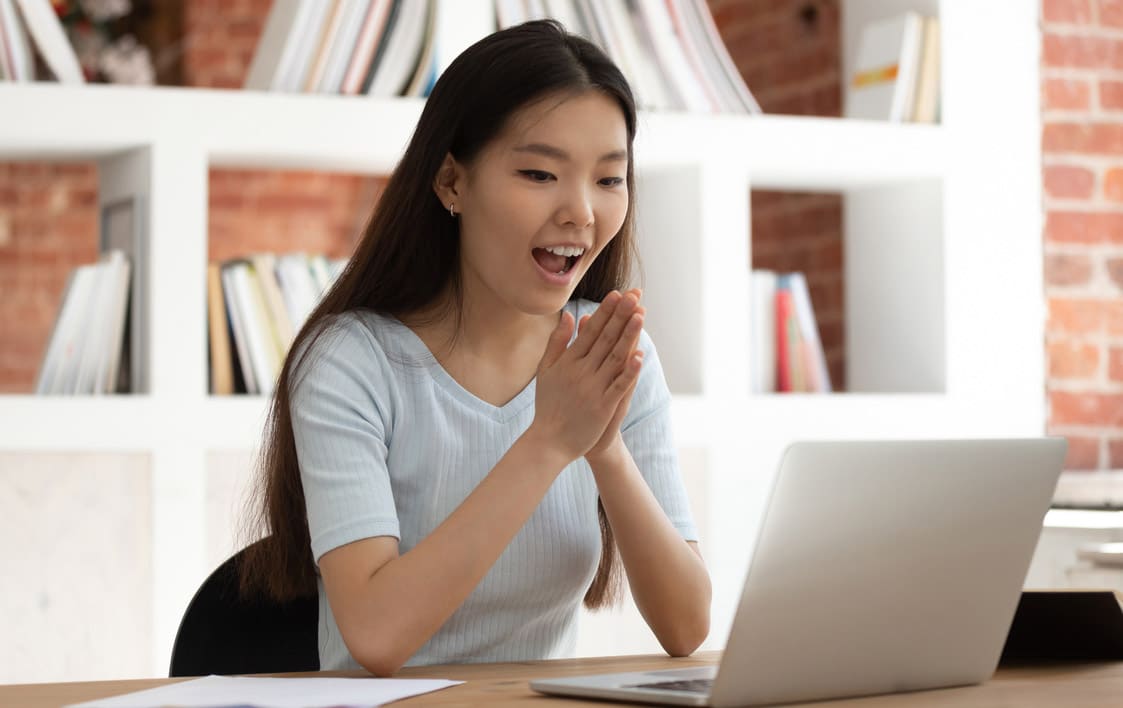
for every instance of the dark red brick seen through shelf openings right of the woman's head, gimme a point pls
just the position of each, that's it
(790, 55)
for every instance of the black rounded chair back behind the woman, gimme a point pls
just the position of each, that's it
(225, 634)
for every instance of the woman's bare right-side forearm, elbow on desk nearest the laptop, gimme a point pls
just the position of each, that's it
(668, 577)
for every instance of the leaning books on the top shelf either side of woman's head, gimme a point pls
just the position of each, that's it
(670, 50)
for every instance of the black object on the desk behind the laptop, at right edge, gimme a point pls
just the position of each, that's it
(1085, 625)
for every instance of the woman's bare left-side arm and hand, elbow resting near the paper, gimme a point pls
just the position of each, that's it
(387, 605)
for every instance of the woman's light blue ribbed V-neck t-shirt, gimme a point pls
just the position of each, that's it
(390, 444)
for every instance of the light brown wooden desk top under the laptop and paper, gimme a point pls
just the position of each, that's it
(1072, 686)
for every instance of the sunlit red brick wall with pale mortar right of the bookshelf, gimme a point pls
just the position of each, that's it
(1083, 185)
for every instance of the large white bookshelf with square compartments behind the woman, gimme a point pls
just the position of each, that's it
(945, 305)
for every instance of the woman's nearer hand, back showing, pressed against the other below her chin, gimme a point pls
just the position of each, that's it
(580, 389)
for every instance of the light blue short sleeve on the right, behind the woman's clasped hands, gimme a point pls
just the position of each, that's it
(649, 437)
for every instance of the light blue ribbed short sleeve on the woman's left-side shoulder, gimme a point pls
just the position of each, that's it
(341, 419)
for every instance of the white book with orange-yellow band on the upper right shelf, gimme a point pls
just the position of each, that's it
(884, 74)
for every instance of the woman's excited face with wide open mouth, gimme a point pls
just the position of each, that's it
(542, 202)
